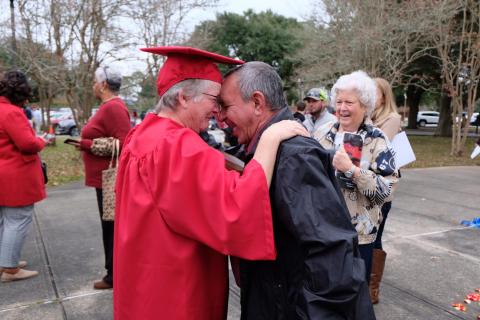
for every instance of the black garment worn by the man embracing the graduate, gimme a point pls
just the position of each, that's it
(318, 273)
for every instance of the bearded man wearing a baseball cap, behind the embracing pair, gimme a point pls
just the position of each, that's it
(316, 111)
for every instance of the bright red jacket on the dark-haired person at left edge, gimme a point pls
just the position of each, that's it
(21, 177)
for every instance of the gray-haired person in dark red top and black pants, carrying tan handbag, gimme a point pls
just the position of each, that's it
(111, 120)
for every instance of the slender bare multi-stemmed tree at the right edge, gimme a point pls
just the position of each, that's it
(455, 34)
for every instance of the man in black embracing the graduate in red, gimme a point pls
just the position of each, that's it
(318, 273)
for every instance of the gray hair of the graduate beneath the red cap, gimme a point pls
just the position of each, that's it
(192, 88)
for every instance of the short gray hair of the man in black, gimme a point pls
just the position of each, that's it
(259, 76)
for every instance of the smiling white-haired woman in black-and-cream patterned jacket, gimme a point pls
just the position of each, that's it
(366, 182)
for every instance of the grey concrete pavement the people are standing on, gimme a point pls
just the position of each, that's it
(432, 261)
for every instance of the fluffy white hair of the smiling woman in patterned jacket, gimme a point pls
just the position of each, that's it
(362, 84)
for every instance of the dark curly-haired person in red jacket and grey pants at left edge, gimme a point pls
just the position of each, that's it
(21, 177)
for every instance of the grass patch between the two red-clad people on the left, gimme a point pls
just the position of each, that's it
(64, 162)
